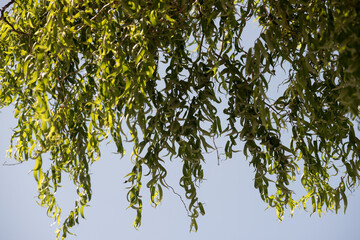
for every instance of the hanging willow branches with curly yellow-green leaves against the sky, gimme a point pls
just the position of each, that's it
(158, 73)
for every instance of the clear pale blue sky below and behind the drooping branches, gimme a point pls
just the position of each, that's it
(234, 209)
